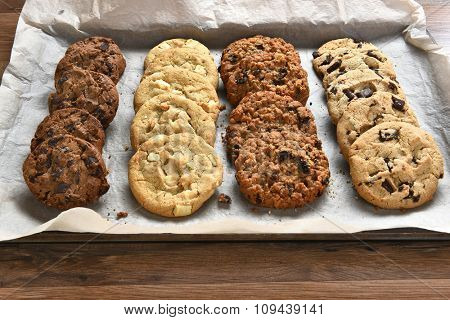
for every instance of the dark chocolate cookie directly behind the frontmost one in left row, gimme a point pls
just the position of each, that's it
(76, 122)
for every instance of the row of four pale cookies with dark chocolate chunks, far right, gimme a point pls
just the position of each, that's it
(393, 163)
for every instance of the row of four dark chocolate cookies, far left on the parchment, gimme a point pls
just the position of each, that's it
(65, 168)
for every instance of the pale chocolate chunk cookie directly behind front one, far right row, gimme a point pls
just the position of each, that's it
(361, 115)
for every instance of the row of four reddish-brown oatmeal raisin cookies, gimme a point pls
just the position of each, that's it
(272, 137)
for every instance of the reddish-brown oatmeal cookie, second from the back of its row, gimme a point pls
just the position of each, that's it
(268, 71)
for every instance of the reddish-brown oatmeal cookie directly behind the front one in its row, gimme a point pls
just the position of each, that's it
(265, 111)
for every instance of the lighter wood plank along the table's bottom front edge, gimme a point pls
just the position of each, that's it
(388, 289)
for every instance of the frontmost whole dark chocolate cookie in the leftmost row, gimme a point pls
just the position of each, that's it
(65, 172)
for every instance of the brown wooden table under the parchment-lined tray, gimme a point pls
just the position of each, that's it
(58, 265)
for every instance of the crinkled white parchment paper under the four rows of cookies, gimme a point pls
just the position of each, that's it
(46, 27)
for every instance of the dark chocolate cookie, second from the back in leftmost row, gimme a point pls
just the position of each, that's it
(87, 90)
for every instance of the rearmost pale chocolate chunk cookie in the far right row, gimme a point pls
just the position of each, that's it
(332, 48)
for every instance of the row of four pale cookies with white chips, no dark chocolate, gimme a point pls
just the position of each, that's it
(175, 169)
